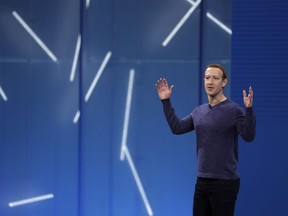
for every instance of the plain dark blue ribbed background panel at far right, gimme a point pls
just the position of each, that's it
(259, 59)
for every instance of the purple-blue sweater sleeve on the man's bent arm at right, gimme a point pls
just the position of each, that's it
(246, 125)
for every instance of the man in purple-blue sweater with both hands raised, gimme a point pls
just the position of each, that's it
(217, 126)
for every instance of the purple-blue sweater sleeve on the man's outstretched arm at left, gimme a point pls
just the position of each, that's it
(177, 125)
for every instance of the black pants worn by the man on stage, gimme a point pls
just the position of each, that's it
(215, 197)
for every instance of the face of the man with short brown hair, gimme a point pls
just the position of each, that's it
(213, 81)
